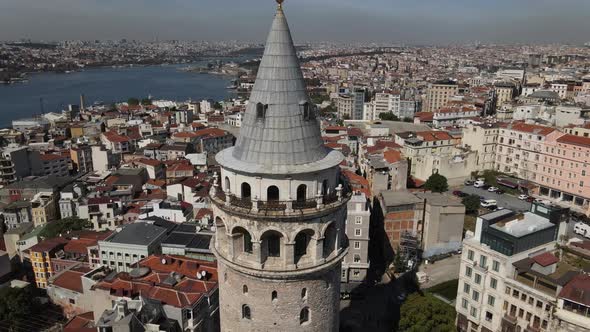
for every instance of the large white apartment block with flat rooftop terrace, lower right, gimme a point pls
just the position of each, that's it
(509, 276)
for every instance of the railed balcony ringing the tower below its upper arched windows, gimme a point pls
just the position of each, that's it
(272, 209)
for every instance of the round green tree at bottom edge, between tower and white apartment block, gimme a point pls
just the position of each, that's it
(426, 313)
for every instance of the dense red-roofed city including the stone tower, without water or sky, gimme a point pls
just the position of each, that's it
(338, 187)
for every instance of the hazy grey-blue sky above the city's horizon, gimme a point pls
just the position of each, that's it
(408, 21)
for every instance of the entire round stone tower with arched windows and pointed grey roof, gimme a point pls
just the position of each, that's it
(279, 206)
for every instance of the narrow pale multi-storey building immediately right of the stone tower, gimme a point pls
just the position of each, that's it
(356, 262)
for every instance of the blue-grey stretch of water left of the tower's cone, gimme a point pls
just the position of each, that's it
(51, 92)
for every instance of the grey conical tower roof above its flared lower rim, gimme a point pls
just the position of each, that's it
(283, 136)
